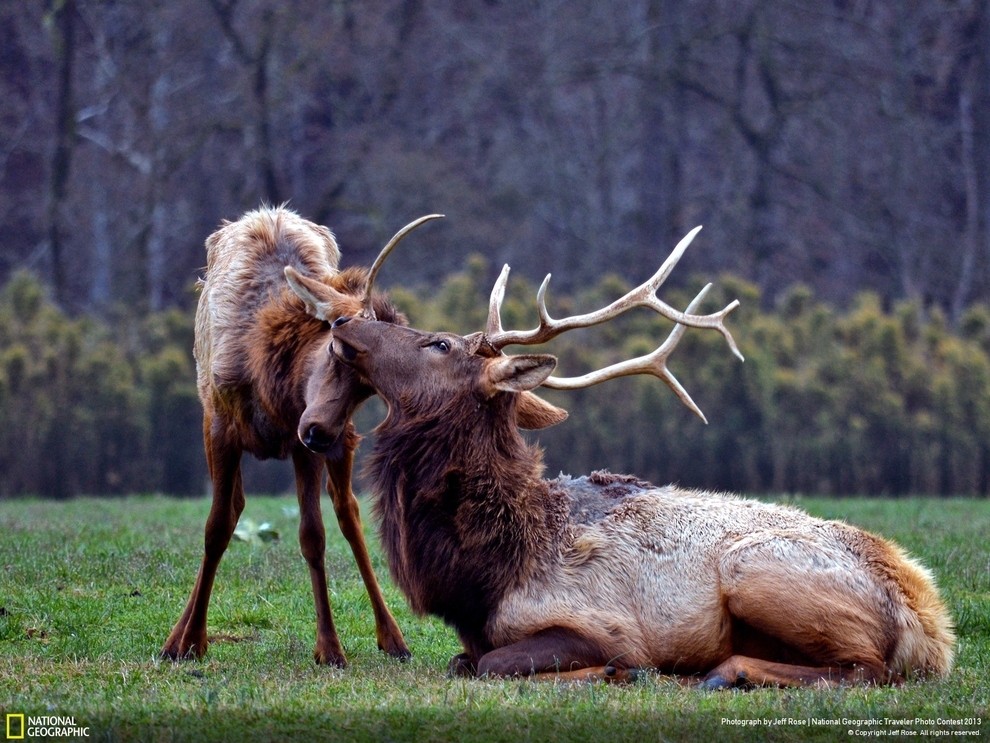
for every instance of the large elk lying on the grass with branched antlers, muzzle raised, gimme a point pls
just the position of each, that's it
(598, 575)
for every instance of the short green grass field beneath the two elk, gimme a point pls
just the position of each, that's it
(90, 588)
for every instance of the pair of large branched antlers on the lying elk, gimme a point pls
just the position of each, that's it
(644, 295)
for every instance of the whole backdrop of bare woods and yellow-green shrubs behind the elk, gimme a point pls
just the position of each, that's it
(838, 154)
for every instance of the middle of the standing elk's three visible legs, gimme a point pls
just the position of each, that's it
(312, 543)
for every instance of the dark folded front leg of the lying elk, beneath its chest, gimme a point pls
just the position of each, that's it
(556, 652)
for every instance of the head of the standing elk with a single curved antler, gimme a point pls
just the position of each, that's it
(335, 390)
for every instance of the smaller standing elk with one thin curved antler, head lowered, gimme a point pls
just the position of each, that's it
(262, 359)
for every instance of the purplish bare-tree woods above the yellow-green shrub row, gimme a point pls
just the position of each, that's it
(836, 144)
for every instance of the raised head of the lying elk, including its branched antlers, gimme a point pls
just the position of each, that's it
(419, 370)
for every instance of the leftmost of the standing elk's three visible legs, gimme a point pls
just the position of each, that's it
(188, 636)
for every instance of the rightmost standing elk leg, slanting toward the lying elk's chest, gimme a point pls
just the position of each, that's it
(345, 506)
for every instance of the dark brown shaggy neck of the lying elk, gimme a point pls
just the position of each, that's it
(463, 511)
